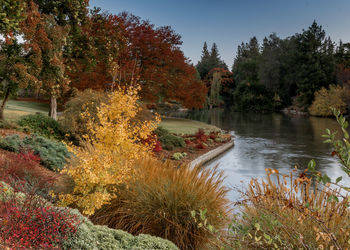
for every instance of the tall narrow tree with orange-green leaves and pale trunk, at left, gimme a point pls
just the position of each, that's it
(45, 40)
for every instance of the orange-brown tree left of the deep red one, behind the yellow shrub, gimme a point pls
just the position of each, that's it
(101, 40)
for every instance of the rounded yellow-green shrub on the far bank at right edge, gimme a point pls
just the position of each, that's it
(326, 99)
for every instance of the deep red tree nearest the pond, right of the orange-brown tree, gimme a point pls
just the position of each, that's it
(164, 73)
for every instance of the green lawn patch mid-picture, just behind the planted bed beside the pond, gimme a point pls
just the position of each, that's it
(185, 126)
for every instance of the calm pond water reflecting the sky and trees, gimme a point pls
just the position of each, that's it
(270, 141)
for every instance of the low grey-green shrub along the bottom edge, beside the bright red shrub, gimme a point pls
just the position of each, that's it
(87, 235)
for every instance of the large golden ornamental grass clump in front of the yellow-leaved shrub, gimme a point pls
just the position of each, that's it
(159, 201)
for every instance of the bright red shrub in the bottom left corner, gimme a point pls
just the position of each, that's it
(29, 224)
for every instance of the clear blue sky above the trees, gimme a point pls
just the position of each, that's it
(230, 22)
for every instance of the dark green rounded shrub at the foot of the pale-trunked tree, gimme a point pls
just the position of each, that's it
(42, 125)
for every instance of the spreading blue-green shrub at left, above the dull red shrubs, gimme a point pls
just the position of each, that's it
(52, 154)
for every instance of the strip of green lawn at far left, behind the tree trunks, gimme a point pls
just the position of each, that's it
(14, 109)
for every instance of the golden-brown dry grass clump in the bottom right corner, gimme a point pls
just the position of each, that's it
(292, 212)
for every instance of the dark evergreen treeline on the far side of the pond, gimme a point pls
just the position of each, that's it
(277, 73)
